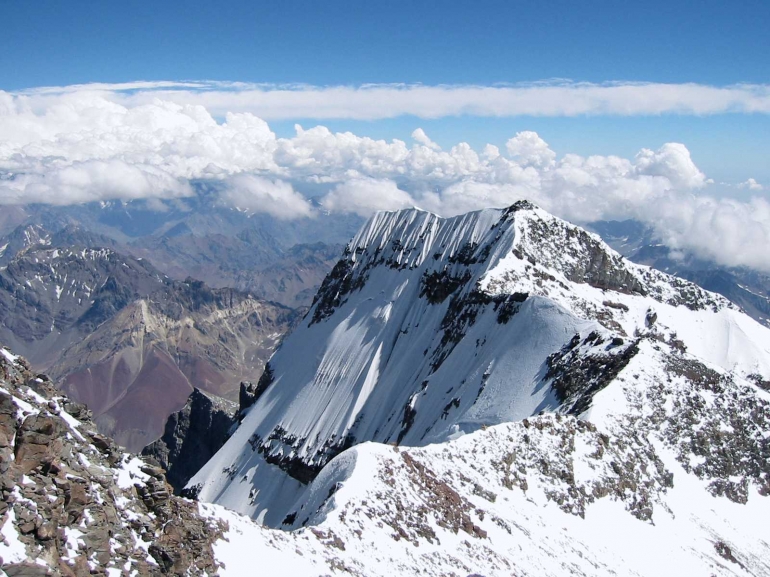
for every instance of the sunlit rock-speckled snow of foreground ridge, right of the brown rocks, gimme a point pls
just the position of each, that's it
(670, 477)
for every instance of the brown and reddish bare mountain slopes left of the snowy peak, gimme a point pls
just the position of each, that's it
(127, 340)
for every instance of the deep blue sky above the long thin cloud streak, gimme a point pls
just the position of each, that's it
(354, 42)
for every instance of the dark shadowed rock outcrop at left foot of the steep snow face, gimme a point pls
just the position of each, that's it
(192, 436)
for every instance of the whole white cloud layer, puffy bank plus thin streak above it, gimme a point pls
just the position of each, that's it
(99, 142)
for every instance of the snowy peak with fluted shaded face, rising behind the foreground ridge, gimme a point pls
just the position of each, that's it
(428, 329)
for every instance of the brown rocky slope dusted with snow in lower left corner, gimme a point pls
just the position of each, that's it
(72, 503)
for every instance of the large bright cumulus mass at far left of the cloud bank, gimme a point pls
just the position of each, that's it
(85, 147)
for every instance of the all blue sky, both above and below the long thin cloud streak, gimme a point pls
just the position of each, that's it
(714, 43)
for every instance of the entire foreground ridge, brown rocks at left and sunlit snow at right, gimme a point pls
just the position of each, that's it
(549, 495)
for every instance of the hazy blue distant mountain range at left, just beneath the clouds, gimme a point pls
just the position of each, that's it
(282, 261)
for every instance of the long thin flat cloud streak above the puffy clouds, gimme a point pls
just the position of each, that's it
(368, 102)
